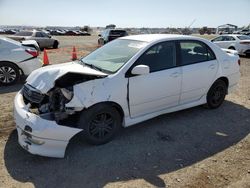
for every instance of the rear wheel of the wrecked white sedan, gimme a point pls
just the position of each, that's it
(216, 94)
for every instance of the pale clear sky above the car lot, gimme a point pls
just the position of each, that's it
(126, 13)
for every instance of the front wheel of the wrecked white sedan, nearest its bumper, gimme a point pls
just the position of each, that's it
(100, 123)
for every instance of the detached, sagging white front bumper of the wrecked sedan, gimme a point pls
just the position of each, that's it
(39, 134)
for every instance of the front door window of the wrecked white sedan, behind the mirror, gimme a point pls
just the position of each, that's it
(159, 57)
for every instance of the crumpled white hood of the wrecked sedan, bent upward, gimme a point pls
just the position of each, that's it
(44, 78)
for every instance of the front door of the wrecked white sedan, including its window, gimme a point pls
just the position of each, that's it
(160, 89)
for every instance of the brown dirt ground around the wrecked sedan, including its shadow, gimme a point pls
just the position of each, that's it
(196, 147)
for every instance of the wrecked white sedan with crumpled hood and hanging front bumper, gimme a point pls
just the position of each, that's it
(128, 80)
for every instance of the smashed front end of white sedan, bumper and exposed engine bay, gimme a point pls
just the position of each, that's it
(44, 122)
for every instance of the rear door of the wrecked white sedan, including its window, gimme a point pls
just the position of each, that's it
(199, 68)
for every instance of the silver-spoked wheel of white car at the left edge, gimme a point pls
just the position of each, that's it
(9, 73)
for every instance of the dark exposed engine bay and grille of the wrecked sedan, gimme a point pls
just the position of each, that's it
(53, 102)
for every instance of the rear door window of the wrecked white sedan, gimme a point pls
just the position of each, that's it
(195, 52)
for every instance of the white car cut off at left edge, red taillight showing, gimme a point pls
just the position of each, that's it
(16, 59)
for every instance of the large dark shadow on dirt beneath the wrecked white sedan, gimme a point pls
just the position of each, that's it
(144, 151)
